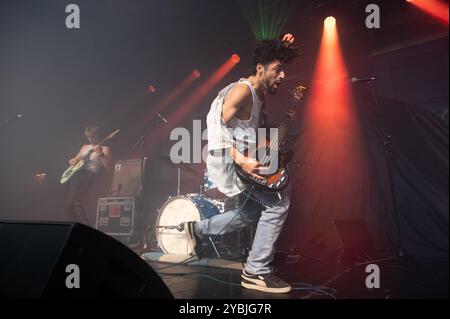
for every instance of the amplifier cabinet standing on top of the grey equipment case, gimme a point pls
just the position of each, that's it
(127, 178)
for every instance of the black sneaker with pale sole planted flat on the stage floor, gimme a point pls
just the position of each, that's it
(265, 282)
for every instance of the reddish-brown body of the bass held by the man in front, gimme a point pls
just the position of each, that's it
(274, 182)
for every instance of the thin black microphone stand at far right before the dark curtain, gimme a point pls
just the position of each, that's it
(388, 155)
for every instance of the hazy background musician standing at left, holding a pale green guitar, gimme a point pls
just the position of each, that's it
(79, 184)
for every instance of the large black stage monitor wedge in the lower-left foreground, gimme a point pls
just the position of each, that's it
(71, 260)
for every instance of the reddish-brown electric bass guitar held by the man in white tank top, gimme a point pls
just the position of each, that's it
(277, 177)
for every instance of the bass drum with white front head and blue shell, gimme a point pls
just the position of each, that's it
(177, 210)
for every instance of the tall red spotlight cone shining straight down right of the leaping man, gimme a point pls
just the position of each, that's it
(333, 140)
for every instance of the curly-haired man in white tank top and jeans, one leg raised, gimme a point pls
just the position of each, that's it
(239, 107)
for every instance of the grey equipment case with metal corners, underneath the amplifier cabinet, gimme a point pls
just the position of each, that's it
(124, 218)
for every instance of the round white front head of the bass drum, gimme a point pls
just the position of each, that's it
(175, 211)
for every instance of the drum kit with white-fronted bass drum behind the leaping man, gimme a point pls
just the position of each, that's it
(171, 239)
